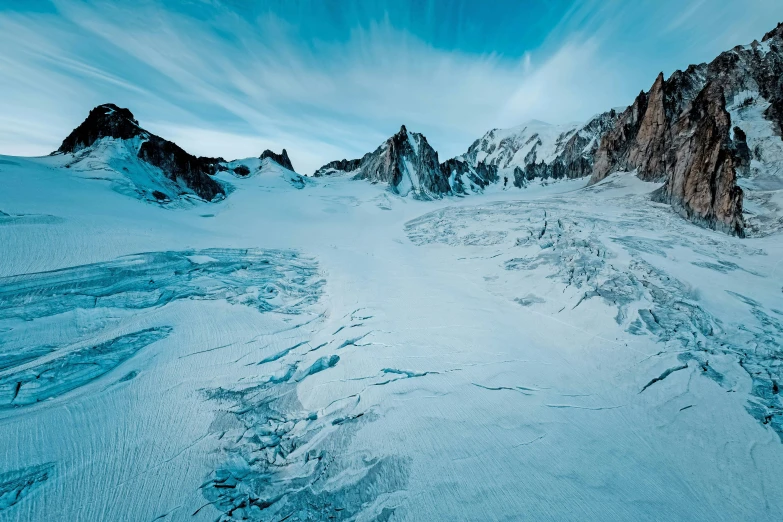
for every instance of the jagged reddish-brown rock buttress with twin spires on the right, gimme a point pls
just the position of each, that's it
(691, 151)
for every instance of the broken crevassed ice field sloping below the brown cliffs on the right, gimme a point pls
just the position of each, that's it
(592, 256)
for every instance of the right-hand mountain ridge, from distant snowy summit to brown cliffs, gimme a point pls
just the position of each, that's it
(707, 132)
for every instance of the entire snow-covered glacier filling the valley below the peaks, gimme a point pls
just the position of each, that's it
(309, 348)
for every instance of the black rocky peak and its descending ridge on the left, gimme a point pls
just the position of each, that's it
(110, 121)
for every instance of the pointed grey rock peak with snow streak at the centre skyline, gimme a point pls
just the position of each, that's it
(406, 162)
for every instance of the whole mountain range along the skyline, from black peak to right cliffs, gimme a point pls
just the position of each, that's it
(710, 134)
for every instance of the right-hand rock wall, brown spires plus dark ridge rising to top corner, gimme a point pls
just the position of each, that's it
(679, 132)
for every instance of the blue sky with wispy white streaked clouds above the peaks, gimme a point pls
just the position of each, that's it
(332, 79)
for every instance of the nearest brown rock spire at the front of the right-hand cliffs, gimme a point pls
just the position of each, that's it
(701, 165)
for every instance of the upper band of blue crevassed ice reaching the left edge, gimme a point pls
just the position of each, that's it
(264, 279)
